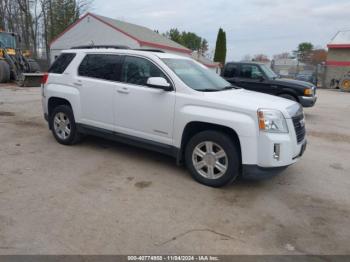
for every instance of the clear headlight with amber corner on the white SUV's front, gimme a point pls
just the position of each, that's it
(272, 121)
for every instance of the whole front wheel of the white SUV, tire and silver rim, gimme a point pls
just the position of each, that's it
(212, 158)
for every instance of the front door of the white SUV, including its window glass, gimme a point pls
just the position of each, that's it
(140, 110)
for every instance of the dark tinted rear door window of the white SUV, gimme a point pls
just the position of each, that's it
(102, 66)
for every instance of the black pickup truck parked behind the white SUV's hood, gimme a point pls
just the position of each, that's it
(259, 77)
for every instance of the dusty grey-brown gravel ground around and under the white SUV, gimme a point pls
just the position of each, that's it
(101, 197)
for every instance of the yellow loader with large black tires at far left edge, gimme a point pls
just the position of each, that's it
(15, 64)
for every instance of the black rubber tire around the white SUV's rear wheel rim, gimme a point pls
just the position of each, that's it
(73, 137)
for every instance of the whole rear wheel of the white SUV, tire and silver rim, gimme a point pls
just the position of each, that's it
(63, 125)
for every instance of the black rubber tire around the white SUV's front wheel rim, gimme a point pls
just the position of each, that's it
(232, 160)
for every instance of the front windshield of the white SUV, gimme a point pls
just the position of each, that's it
(196, 76)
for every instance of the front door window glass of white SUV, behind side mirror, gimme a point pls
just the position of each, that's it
(137, 70)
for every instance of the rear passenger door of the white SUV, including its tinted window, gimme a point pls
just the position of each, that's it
(96, 81)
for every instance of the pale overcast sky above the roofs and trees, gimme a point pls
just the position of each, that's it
(252, 26)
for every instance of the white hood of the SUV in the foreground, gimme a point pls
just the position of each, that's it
(244, 100)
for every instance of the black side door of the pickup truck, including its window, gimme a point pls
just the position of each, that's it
(252, 78)
